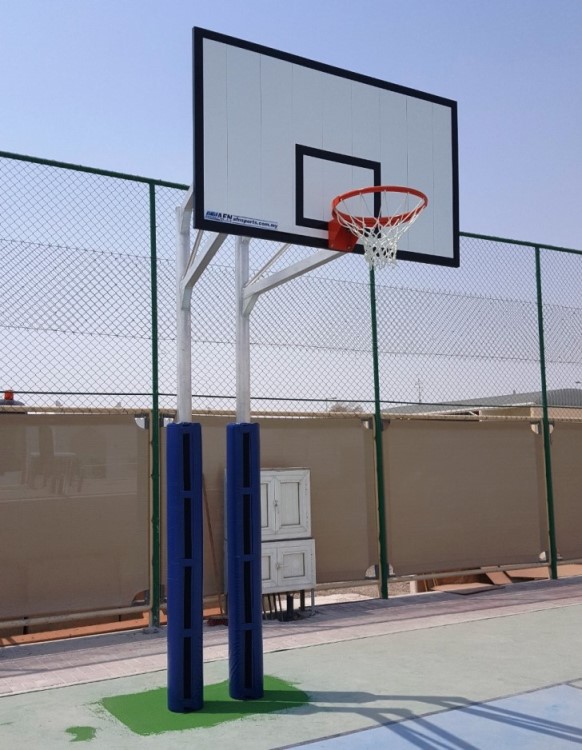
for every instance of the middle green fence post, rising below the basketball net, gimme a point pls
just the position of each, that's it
(382, 542)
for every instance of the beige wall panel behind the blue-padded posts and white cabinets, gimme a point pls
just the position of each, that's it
(342, 503)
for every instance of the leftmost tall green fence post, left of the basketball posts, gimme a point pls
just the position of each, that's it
(155, 476)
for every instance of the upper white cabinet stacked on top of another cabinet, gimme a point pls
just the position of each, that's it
(285, 504)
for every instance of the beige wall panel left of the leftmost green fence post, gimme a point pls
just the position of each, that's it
(74, 513)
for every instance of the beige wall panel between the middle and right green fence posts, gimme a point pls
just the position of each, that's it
(462, 495)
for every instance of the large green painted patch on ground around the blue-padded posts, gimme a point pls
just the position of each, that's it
(147, 712)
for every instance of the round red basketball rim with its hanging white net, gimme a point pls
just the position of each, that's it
(379, 220)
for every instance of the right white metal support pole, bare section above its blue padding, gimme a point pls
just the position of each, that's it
(243, 339)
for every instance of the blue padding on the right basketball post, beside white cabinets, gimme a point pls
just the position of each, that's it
(243, 519)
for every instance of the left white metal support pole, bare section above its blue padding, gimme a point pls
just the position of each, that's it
(183, 323)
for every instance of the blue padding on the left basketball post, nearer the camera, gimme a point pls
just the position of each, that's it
(185, 582)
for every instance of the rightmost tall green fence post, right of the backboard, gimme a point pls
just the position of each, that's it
(553, 550)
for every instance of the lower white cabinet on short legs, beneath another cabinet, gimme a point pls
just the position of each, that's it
(288, 565)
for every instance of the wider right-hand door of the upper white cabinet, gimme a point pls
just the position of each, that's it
(292, 504)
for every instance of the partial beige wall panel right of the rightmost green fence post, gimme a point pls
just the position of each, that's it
(567, 482)
